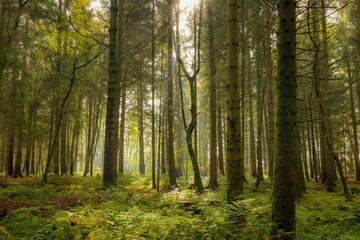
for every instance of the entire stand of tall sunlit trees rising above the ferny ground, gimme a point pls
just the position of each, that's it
(250, 89)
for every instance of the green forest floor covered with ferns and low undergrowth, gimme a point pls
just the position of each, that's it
(79, 208)
